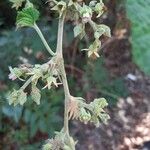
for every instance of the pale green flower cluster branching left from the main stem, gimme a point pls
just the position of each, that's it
(47, 72)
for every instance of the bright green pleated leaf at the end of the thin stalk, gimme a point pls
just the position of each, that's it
(27, 17)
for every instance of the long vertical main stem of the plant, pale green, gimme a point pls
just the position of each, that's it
(62, 70)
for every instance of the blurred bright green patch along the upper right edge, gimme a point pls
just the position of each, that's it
(139, 14)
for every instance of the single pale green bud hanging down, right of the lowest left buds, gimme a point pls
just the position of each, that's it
(35, 94)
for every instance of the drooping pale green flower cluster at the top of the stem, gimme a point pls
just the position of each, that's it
(82, 14)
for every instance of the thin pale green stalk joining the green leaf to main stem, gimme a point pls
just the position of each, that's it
(43, 39)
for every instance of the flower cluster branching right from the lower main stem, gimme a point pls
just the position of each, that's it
(92, 112)
